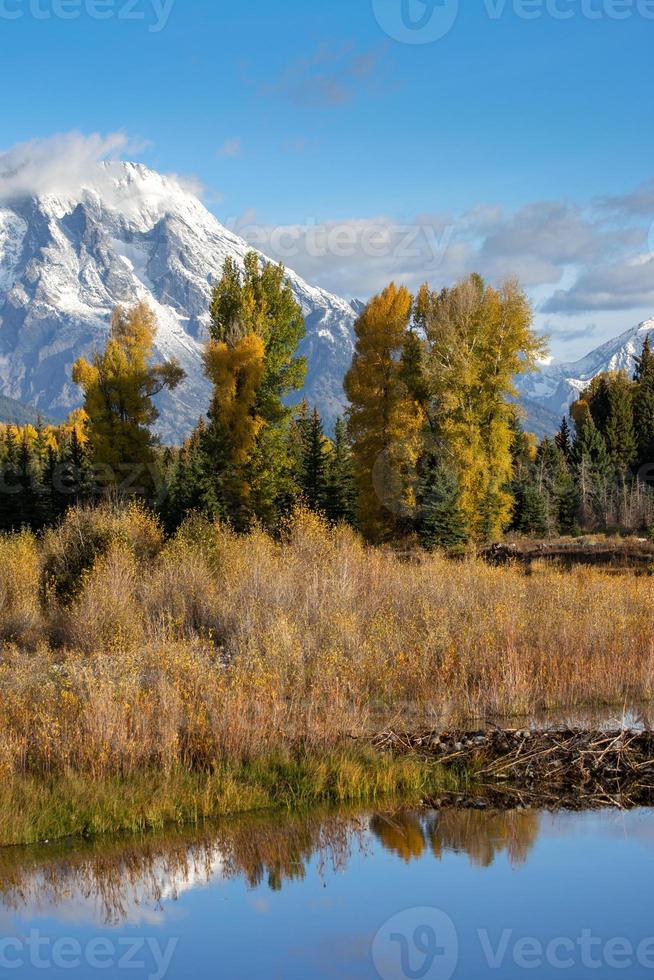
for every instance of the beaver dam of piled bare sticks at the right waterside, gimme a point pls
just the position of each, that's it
(569, 768)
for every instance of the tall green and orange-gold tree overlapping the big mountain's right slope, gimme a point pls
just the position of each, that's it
(251, 360)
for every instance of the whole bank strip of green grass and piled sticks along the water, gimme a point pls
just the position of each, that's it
(488, 769)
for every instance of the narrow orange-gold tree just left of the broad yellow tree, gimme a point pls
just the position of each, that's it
(384, 418)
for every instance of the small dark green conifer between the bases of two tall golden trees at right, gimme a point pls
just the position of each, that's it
(440, 522)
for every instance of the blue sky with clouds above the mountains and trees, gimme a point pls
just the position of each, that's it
(526, 142)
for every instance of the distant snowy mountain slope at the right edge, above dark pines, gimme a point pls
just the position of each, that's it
(557, 385)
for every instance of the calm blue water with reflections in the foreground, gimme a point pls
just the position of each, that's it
(350, 895)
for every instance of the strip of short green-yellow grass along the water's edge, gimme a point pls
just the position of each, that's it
(35, 809)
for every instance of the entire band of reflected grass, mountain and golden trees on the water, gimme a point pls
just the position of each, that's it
(130, 881)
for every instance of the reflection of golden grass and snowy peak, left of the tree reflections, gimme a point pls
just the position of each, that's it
(116, 880)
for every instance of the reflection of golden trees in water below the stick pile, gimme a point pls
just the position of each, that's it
(479, 834)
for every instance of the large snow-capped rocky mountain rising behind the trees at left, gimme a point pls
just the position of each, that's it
(67, 260)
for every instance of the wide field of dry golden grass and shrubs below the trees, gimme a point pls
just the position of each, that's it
(121, 651)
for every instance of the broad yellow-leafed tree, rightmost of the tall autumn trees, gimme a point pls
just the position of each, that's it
(477, 339)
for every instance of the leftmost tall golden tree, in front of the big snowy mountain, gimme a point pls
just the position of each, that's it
(119, 386)
